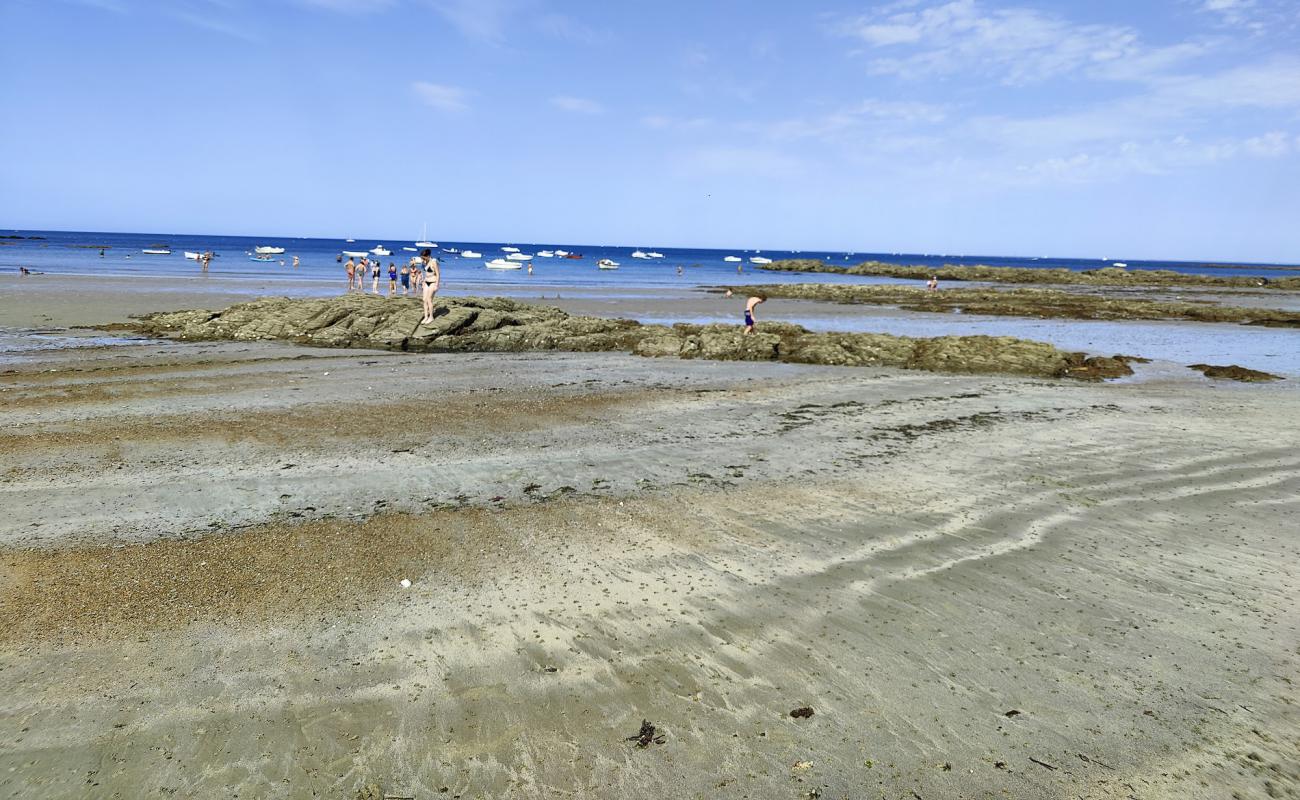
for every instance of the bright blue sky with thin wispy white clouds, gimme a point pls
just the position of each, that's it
(1152, 129)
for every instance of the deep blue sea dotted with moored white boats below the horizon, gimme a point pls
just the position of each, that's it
(79, 253)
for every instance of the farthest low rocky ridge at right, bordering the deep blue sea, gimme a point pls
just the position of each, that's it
(1107, 276)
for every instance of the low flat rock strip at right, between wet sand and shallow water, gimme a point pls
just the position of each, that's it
(1041, 304)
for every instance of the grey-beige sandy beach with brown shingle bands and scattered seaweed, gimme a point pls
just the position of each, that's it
(981, 586)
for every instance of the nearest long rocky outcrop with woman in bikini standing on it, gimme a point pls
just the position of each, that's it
(502, 326)
